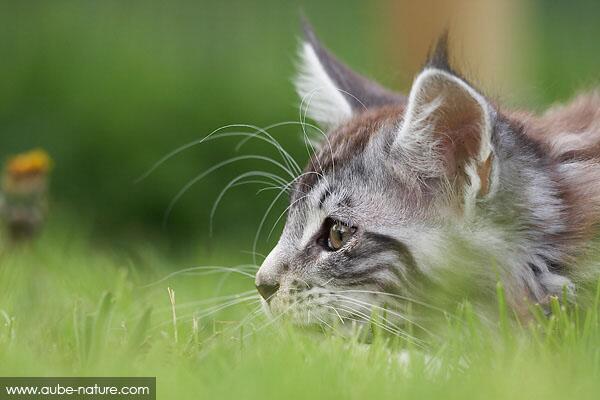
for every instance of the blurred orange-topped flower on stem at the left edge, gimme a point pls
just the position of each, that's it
(24, 195)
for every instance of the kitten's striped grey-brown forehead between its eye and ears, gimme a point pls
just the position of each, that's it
(353, 179)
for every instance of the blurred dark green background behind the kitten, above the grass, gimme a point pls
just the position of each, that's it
(110, 87)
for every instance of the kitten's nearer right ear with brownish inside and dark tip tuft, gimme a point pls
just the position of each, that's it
(447, 128)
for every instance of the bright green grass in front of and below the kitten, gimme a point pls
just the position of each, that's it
(68, 307)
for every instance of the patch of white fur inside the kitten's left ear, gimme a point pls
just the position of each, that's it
(321, 100)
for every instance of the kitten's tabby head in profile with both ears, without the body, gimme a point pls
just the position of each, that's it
(393, 180)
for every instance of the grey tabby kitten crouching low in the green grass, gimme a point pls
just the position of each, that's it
(438, 188)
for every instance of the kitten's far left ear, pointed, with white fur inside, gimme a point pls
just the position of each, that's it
(330, 92)
